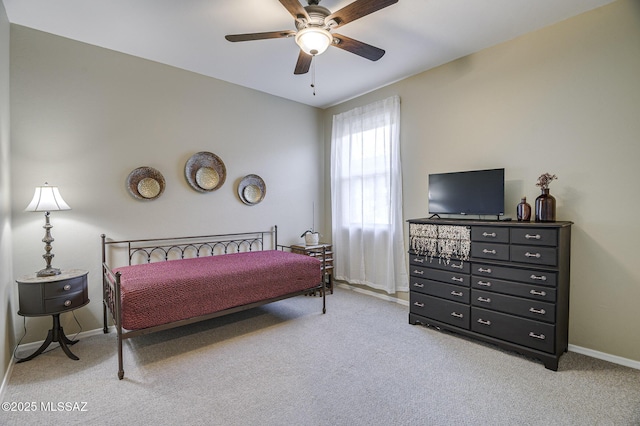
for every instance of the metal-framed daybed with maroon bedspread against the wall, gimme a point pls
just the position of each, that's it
(170, 282)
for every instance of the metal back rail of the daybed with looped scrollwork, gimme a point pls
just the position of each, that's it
(163, 249)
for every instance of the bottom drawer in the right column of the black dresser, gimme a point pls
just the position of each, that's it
(525, 332)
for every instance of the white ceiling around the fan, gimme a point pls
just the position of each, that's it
(416, 34)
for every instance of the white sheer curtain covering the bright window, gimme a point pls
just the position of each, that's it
(366, 194)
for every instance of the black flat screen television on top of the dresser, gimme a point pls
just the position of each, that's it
(476, 192)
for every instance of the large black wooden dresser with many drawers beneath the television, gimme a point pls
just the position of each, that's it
(511, 289)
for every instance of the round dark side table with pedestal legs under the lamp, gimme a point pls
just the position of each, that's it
(41, 296)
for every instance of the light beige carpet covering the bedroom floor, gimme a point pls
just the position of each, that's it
(287, 364)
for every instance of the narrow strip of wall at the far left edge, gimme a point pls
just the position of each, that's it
(7, 288)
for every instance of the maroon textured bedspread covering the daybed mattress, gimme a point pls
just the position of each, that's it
(164, 292)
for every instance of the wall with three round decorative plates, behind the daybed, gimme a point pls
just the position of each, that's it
(83, 117)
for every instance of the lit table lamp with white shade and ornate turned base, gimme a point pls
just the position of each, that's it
(47, 199)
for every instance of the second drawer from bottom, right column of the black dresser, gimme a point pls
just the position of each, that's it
(514, 305)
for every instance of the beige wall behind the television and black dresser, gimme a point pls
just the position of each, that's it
(564, 100)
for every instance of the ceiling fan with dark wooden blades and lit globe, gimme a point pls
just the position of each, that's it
(314, 24)
